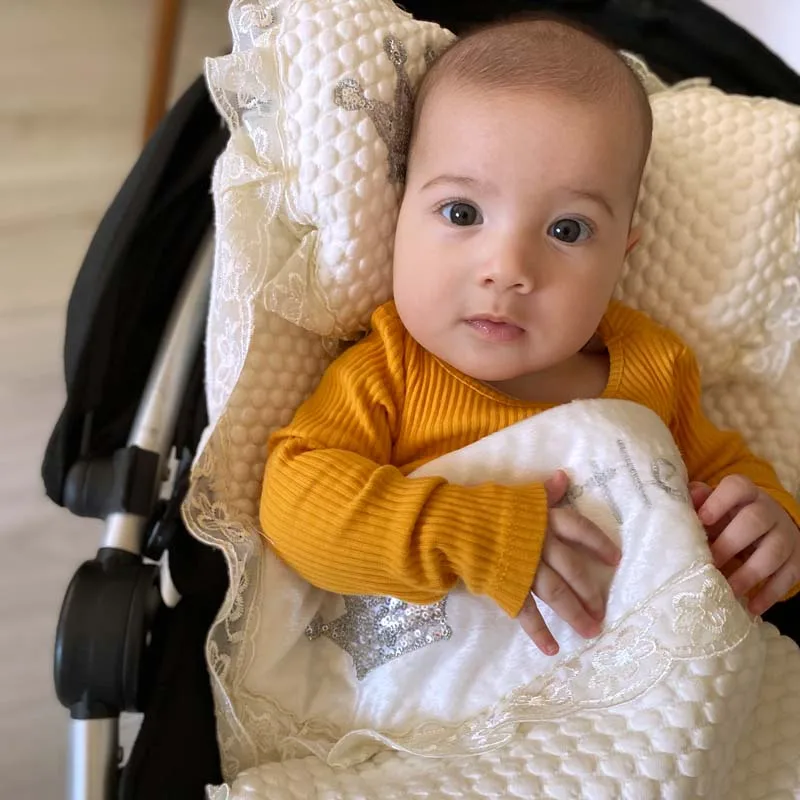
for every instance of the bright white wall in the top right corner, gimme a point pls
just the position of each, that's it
(774, 22)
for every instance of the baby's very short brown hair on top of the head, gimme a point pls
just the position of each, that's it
(541, 52)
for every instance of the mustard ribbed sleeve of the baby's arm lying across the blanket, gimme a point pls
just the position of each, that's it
(337, 511)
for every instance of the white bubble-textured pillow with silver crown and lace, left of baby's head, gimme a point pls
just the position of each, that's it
(318, 96)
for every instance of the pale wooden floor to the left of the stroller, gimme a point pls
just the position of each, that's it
(72, 83)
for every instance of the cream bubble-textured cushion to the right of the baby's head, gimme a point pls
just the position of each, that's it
(719, 212)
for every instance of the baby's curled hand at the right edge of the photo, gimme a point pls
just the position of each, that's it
(753, 540)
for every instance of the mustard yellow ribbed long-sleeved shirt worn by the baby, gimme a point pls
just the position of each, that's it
(339, 509)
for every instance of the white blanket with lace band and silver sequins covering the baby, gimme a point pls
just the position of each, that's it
(682, 696)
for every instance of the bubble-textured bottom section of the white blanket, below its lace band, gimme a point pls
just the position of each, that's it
(591, 755)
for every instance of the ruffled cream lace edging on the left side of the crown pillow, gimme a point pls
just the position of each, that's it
(259, 240)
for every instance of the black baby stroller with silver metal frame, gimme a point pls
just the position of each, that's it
(135, 413)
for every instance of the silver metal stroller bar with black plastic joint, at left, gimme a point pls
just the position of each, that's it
(109, 607)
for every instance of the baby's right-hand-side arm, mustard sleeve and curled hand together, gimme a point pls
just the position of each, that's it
(740, 498)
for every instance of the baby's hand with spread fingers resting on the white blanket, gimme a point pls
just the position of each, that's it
(564, 579)
